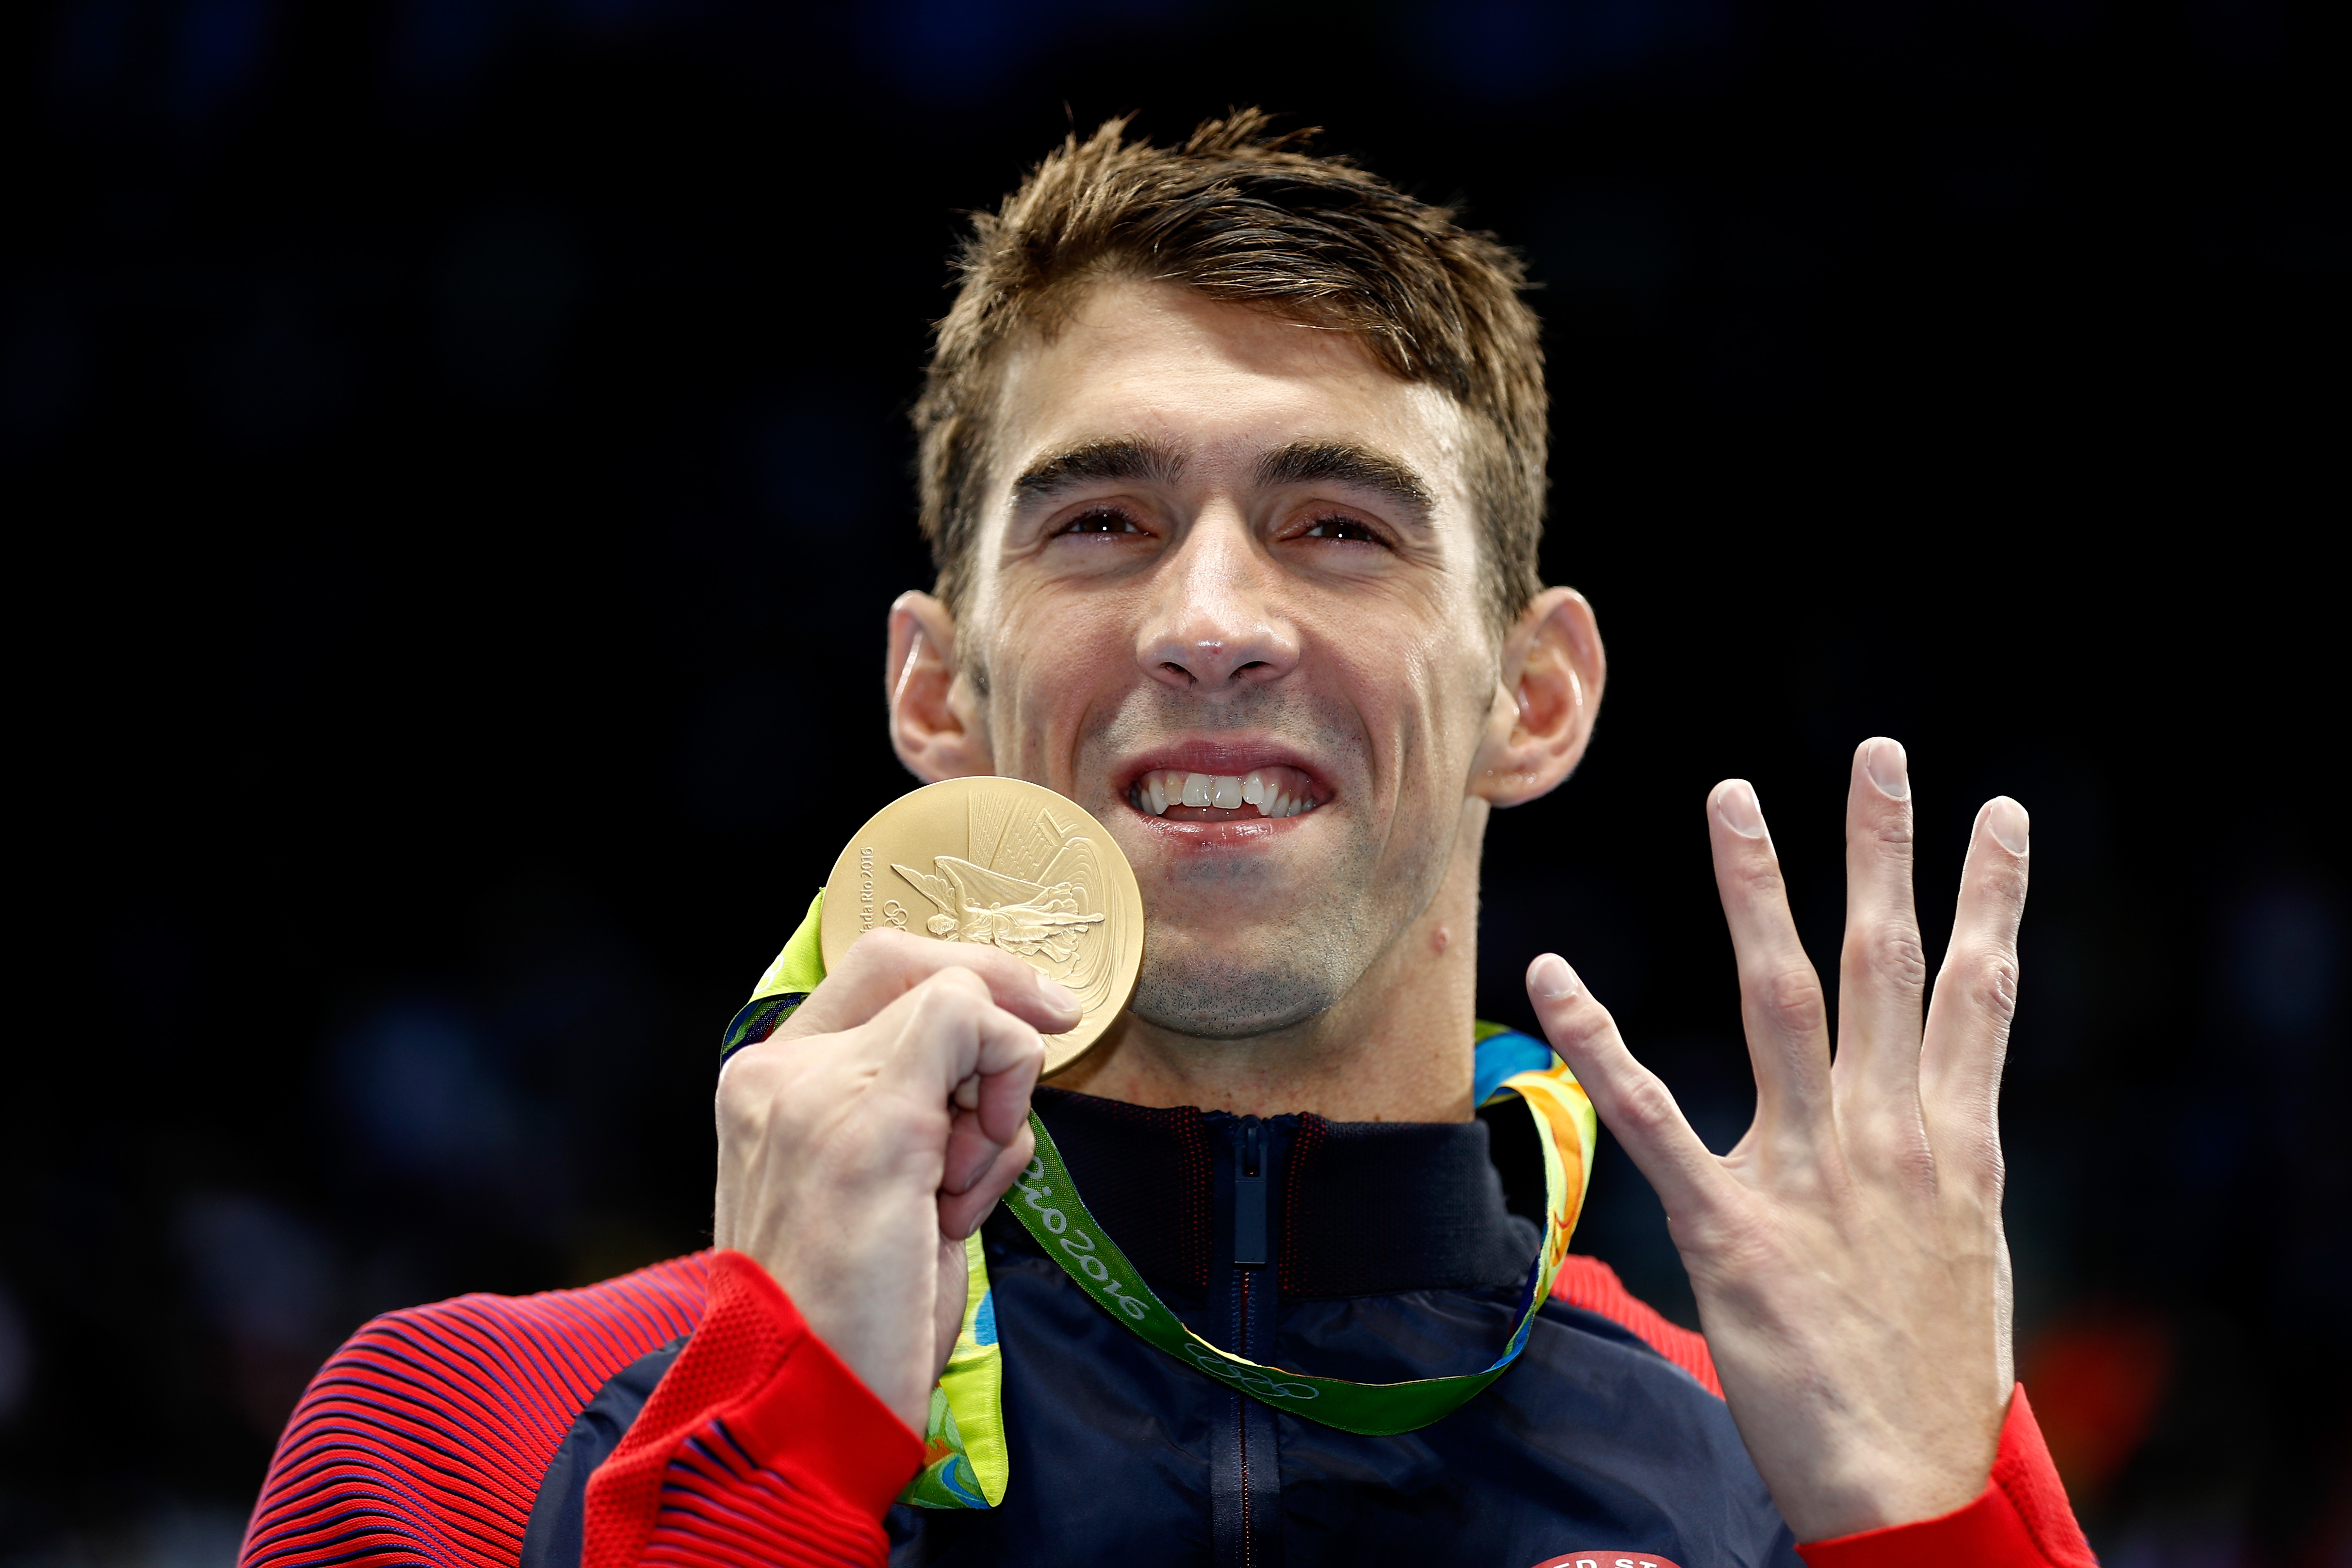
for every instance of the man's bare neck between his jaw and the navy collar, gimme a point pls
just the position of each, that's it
(1394, 1050)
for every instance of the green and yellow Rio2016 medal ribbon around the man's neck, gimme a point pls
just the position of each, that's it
(965, 1463)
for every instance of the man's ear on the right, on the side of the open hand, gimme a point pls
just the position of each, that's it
(1546, 702)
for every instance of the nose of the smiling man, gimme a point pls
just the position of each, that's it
(1215, 622)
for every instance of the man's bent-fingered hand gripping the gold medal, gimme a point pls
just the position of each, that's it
(874, 1132)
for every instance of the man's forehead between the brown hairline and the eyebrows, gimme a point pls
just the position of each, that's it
(1222, 384)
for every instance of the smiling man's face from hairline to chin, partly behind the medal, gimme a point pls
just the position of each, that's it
(1234, 551)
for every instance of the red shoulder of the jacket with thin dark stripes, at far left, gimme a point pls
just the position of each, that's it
(425, 1440)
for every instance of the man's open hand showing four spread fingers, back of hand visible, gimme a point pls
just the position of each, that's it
(1847, 1257)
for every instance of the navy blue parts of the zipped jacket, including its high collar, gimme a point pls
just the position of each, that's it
(1372, 1252)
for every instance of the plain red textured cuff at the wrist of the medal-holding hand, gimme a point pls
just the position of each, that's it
(784, 1398)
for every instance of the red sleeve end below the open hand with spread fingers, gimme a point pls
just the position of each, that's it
(2022, 1520)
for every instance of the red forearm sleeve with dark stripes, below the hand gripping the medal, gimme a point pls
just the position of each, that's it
(761, 1447)
